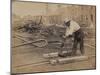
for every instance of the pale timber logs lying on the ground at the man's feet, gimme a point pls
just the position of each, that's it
(54, 59)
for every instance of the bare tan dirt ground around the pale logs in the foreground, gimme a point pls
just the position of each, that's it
(25, 58)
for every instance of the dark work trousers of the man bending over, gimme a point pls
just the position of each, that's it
(78, 39)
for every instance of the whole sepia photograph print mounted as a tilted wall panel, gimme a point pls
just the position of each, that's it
(52, 37)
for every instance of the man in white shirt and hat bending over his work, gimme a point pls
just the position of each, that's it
(73, 29)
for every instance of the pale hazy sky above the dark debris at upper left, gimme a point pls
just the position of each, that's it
(32, 8)
